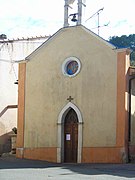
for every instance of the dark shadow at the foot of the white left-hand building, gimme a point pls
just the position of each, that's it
(5, 143)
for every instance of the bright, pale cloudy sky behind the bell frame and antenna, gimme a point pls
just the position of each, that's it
(44, 17)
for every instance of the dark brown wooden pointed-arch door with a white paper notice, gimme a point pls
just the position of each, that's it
(71, 137)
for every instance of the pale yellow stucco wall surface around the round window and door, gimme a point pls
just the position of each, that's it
(93, 89)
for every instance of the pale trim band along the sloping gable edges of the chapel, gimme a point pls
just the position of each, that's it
(62, 30)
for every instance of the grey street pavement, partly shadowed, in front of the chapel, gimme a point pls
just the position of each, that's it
(12, 168)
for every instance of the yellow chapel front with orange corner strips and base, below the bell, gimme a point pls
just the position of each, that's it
(74, 100)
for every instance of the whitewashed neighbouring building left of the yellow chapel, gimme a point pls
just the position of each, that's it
(11, 52)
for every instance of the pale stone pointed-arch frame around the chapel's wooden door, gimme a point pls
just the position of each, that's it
(60, 133)
